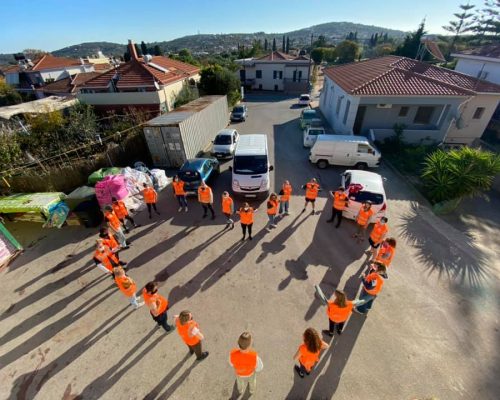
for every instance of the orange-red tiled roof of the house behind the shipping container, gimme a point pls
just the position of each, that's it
(138, 73)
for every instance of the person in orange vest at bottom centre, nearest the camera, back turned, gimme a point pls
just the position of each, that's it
(246, 363)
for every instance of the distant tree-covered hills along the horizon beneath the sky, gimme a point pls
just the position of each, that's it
(334, 31)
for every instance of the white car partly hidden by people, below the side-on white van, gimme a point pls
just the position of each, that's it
(364, 186)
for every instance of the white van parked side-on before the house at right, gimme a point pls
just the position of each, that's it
(347, 150)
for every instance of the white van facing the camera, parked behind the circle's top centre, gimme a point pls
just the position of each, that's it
(251, 166)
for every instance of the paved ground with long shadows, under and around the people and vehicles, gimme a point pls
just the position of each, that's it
(67, 333)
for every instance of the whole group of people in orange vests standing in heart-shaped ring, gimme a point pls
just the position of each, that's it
(244, 359)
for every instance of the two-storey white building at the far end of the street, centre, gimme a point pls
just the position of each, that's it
(277, 72)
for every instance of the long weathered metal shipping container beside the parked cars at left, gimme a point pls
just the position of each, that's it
(181, 134)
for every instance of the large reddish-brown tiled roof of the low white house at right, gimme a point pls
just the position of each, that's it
(400, 76)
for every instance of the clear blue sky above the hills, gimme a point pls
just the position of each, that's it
(52, 24)
